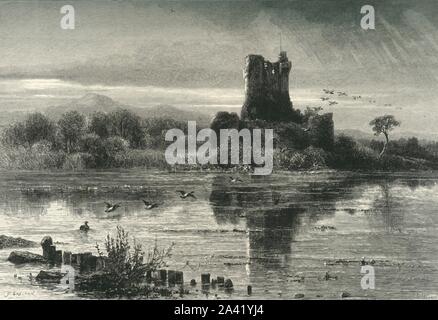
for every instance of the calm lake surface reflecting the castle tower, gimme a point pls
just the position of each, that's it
(265, 232)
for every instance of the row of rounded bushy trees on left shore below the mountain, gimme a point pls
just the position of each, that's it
(74, 129)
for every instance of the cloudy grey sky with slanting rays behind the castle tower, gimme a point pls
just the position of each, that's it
(144, 52)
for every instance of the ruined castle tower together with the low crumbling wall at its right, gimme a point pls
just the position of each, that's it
(267, 98)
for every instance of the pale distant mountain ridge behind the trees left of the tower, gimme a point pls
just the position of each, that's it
(92, 102)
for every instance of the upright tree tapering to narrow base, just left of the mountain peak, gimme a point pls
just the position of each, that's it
(71, 126)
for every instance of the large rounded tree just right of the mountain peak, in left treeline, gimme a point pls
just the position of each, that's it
(128, 126)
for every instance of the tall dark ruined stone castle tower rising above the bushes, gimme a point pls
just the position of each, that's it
(267, 89)
